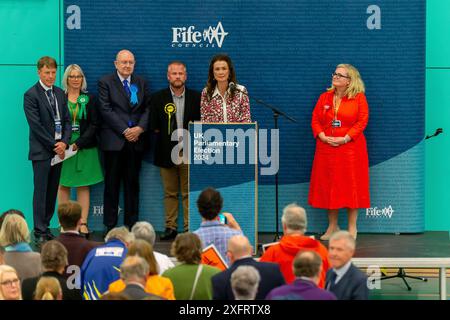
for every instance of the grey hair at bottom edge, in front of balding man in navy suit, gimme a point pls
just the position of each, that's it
(245, 282)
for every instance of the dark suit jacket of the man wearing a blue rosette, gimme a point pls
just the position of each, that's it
(116, 111)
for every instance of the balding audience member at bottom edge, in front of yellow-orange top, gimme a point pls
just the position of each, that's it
(134, 271)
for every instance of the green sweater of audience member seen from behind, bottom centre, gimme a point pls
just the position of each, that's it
(183, 276)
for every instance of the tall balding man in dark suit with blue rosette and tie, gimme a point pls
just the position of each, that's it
(123, 108)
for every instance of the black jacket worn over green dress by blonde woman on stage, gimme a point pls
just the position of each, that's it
(89, 125)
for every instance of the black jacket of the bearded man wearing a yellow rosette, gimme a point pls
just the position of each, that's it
(160, 121)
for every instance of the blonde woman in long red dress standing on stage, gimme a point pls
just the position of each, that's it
(340, 173)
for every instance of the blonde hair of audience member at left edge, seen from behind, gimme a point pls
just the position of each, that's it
(14, 230)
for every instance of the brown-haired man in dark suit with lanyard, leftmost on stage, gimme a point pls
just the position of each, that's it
(50, 130)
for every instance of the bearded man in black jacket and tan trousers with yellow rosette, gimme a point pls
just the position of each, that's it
(173, 108)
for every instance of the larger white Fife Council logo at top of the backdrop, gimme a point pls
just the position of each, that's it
(188, 37)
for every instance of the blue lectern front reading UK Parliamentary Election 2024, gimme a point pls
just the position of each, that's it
(225, 156)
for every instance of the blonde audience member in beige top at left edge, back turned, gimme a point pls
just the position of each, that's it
(15, 237)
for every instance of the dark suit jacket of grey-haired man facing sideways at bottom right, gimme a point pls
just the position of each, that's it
(352, 286)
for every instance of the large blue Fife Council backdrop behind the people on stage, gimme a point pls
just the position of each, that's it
(284, 53)
